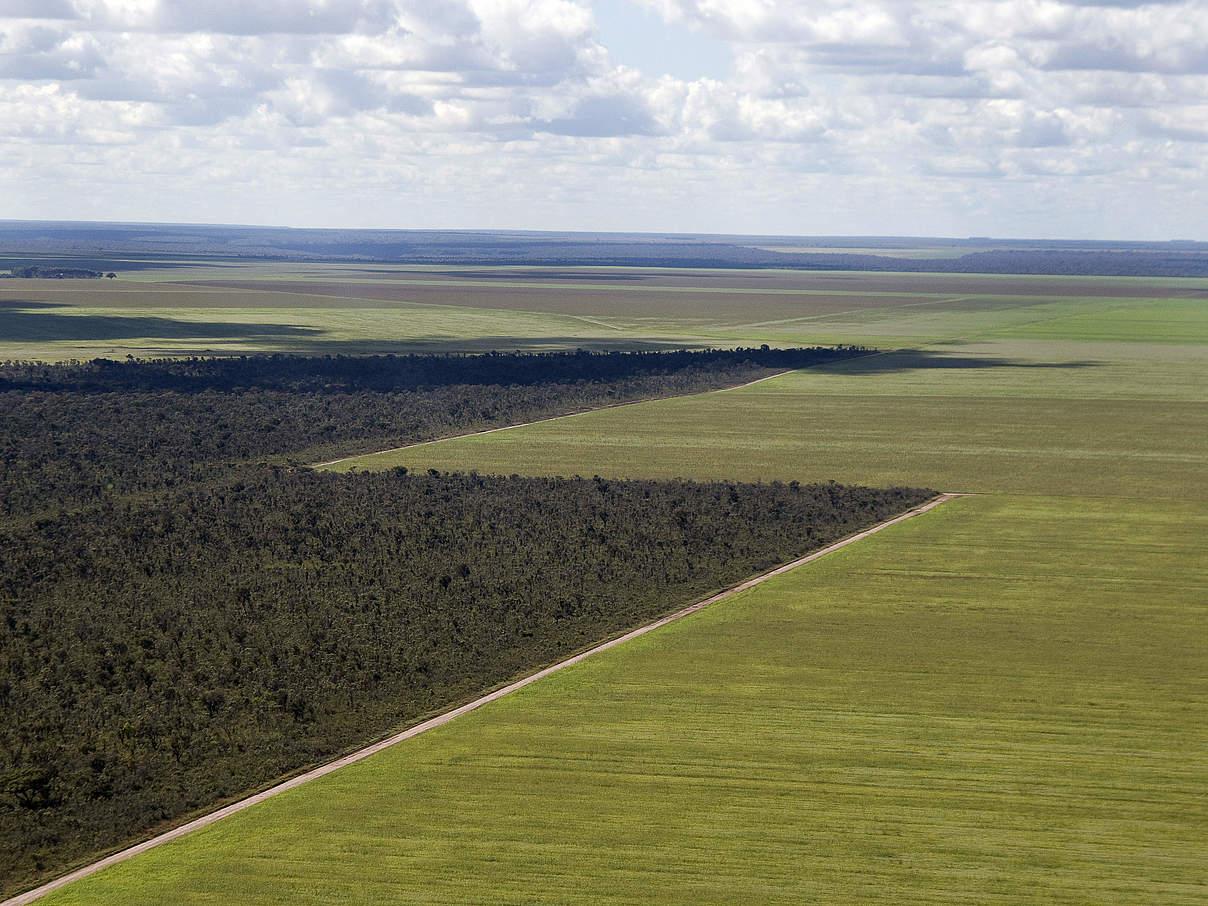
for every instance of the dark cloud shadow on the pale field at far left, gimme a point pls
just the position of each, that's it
(24, 323)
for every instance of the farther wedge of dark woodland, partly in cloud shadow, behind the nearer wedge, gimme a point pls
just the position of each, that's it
(84, 432)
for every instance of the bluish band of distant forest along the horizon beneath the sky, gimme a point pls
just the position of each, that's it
(90, 245)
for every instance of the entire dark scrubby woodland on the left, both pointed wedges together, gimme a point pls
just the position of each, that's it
(188, 612)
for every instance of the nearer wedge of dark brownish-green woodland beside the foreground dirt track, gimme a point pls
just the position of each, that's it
(159, 657)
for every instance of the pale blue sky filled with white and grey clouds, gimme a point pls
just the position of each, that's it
(1030, 119)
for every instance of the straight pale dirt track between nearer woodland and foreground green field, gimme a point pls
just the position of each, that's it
(442, 719)
